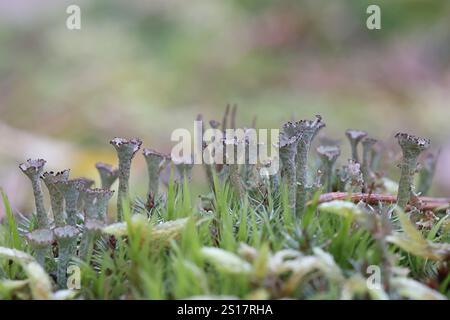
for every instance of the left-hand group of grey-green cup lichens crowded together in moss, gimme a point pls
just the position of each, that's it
(79, 211)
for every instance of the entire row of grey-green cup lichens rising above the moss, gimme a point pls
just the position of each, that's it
(80, 211)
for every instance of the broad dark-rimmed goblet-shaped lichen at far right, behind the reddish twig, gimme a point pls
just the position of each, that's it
(412, 147)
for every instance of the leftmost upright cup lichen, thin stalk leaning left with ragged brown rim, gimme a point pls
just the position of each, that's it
(33, 170)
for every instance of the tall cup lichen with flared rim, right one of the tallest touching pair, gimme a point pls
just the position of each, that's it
(308, 130)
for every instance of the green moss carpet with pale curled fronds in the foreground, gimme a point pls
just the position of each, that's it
(250, 241)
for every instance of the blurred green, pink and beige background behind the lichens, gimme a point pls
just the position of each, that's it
(145, 68)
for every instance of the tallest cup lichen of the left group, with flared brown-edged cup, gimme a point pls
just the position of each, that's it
(126, 149)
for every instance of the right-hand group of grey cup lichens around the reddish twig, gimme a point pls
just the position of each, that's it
(358, 175)
